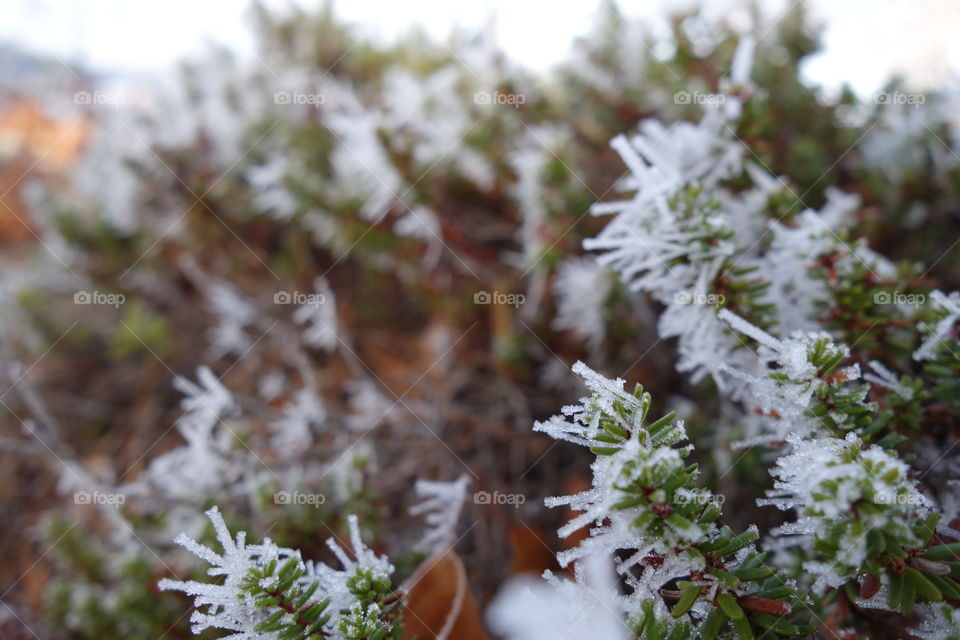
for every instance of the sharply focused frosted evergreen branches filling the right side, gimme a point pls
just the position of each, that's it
(774, 306)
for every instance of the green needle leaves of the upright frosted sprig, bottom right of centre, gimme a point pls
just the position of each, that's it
(656, 491)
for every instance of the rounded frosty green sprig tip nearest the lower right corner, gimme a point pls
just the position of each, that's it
(864, 514)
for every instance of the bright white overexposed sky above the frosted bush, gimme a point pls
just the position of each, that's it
(865, 39)
